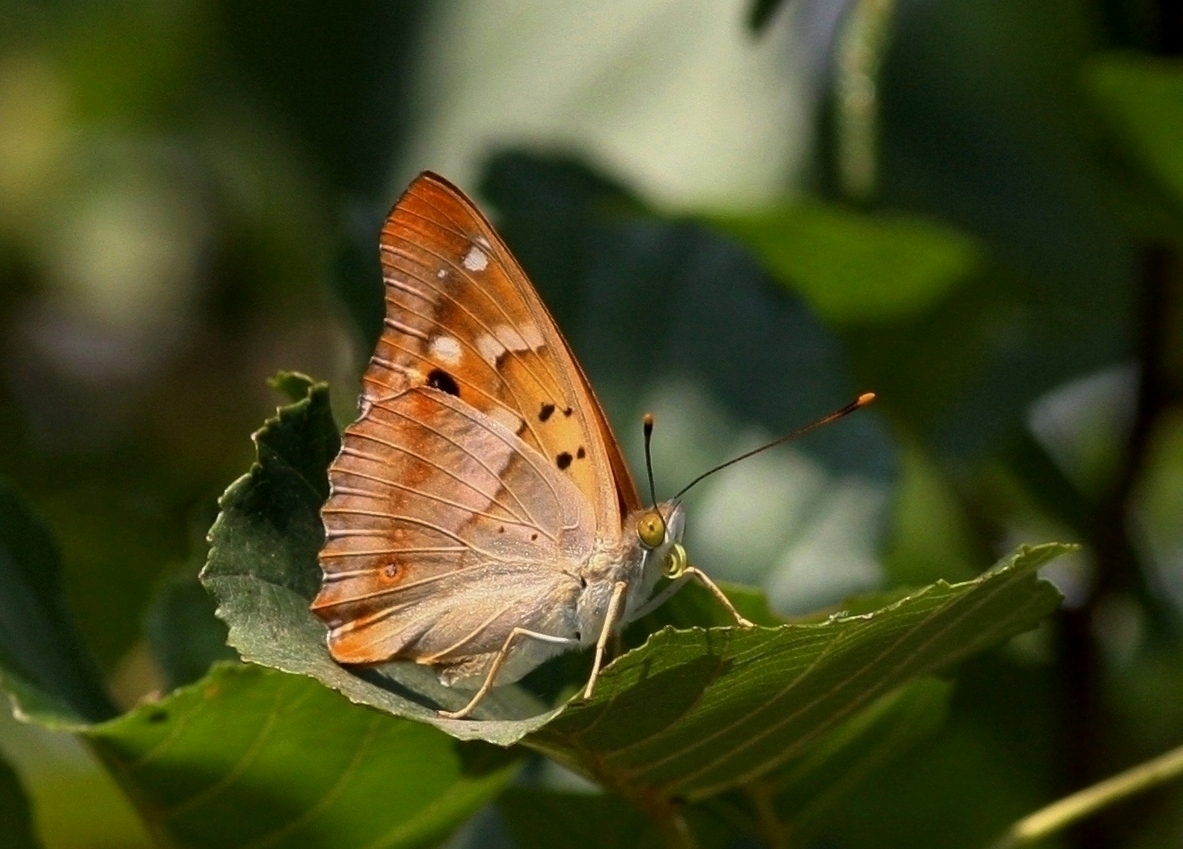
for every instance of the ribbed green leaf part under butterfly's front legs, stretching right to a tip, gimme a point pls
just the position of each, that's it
(696, 712)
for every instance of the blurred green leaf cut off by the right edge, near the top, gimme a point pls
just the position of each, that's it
(1142, 102)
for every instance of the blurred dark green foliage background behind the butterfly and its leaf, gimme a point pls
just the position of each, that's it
(740, 213)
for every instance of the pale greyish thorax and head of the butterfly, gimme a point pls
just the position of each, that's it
(631, 561)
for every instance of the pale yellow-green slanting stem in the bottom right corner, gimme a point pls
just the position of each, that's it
(1069, 811)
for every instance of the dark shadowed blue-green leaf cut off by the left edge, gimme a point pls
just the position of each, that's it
(48, 670)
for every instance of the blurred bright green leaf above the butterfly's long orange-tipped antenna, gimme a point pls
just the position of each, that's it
(856, 267)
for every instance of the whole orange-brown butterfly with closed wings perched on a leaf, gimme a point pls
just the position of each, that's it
(482, 517)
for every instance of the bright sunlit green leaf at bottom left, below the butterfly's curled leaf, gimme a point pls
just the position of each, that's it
(250, 756)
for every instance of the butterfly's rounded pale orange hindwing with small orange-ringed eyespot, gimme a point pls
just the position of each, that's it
(434, 507)
